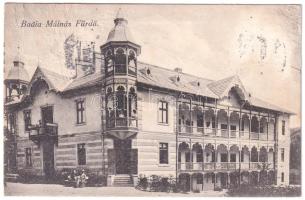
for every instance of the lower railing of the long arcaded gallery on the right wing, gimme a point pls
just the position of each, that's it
(222, 166)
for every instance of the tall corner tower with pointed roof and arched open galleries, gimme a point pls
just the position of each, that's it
(120, 52)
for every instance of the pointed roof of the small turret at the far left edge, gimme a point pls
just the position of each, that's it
(18, 72)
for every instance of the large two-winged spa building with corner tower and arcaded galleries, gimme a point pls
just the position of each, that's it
(119, 116)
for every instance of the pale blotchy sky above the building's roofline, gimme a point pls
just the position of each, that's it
(260, 43)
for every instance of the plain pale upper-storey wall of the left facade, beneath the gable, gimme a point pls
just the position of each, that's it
(64, 112)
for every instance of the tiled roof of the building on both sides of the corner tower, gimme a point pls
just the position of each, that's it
(163, 78)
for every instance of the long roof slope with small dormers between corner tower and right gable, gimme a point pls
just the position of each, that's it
(165, 78)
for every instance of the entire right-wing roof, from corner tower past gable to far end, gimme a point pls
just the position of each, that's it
(165, 78)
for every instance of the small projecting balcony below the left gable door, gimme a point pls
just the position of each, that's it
(40, 132)
